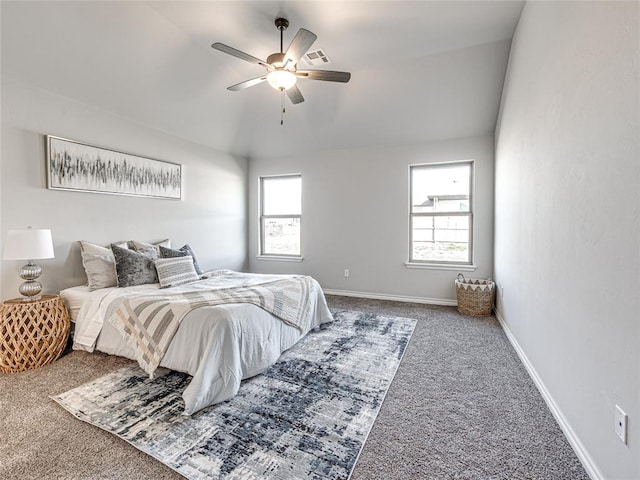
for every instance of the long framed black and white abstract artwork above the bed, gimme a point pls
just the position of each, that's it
(73, 165)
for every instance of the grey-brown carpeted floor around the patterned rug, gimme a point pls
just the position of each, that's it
(461, 406)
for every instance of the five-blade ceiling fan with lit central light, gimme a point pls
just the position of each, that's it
(281, 67)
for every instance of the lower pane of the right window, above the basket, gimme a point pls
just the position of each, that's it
(446, 241)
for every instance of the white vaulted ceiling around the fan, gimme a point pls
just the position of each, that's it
(421, 70)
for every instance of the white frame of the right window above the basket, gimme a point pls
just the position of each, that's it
(466, 265)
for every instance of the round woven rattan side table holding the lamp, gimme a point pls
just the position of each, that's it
(32, 333)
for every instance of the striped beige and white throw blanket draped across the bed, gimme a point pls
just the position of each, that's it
(149, 321)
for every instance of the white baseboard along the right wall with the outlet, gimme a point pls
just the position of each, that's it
(582, 454)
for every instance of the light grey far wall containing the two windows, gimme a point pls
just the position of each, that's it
(355, 216)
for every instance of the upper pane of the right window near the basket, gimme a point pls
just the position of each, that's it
(440, 188)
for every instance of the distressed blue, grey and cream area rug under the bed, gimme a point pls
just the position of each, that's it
(306, 417)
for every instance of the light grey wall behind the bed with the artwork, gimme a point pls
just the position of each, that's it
(211, 217)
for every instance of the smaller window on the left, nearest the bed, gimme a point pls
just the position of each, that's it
(280, 215)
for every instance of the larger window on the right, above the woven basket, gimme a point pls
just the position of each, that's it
(441, 214)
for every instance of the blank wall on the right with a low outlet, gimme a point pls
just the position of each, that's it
(567, 218)
